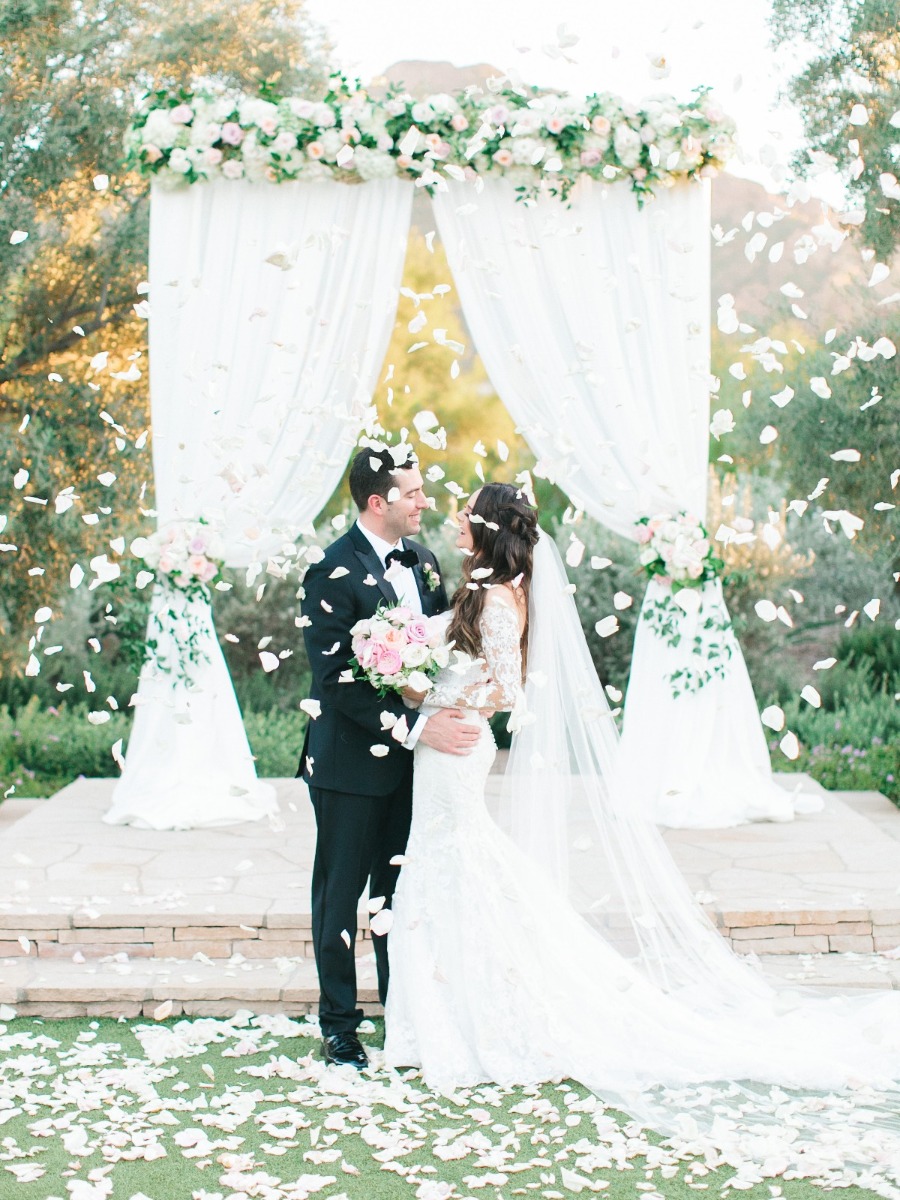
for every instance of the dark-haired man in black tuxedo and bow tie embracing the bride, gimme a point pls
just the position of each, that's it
(361, 776)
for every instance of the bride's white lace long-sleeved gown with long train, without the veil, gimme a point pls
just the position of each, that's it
(495, 977)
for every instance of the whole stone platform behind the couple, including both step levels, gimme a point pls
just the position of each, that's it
(99, 920)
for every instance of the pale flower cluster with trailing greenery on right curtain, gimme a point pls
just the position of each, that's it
(677, 551)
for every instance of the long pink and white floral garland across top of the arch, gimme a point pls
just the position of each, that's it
(541, 140)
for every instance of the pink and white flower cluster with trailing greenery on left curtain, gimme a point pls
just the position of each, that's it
(185, 559)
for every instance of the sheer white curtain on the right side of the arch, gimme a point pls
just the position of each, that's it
(593, 323)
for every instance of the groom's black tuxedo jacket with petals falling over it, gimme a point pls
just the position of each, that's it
(338, 749)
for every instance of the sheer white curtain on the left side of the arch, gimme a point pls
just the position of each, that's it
(272, 309)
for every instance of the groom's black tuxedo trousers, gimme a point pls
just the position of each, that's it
(357, 838)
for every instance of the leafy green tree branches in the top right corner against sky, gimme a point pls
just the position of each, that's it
(849, 97)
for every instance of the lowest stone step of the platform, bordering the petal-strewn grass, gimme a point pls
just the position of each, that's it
(160, 988)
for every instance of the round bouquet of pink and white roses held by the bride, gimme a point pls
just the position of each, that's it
(398, 649)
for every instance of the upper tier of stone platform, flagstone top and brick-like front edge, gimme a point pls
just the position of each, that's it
(71, 885)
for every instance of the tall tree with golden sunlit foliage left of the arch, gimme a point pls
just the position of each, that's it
(74, 245)
